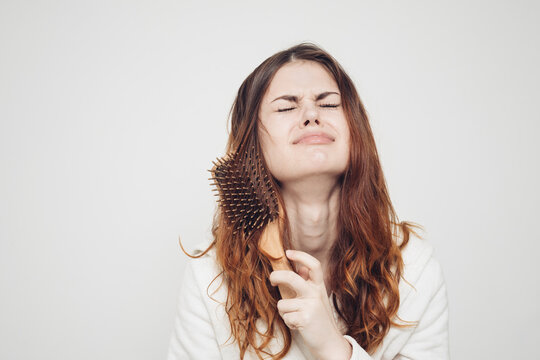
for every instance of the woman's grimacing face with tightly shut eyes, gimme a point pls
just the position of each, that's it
(303, 129)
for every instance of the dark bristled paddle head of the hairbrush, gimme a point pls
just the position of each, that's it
(246, 194)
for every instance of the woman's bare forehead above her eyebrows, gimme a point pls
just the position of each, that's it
(300, 77)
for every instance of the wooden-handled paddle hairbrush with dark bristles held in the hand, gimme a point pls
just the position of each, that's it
(248, 199)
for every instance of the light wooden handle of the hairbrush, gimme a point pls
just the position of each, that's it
(270, 245)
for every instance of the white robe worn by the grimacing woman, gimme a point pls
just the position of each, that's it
(202, 327)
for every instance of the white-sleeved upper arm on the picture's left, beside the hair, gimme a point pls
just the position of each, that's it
(193, 336)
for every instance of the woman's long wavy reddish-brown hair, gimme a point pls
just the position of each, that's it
(365, 260)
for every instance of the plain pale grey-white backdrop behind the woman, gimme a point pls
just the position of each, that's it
(112, 111)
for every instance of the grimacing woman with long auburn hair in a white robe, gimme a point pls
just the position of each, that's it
(366, 287)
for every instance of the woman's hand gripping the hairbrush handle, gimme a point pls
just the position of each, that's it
(310, 312)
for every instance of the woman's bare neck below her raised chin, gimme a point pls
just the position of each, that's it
(312, 209)
